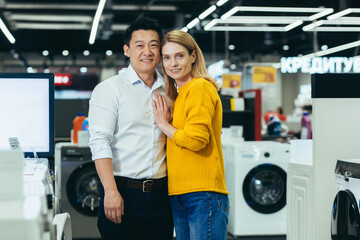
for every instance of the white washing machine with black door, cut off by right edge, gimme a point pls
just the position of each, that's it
(345, 217)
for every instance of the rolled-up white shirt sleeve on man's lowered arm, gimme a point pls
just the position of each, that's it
(102, 120)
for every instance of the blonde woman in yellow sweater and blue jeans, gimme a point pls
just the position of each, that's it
(196, 176)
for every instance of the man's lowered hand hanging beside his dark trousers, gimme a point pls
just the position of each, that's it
(113, 206)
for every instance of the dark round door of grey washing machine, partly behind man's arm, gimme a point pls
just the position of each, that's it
(83, 189)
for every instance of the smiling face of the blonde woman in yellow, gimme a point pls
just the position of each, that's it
(177, 62)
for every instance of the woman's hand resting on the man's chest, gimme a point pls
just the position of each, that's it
(163, 115)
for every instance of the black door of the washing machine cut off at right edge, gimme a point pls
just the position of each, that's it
(345, 217)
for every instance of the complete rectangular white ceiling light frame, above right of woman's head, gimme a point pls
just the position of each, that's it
(295, 18)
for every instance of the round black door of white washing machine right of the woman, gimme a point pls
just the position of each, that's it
(264, 188)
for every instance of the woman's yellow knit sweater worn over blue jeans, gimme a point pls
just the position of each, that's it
(194, 158)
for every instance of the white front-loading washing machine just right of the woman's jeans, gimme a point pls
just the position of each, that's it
(256, 175)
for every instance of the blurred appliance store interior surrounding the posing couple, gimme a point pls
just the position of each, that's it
(289, 76)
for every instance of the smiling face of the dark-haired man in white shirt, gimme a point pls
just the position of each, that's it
(144, 51)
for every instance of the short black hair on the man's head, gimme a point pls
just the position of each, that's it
(143, 23)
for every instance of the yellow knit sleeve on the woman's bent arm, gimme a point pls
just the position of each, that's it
(199, 109)
